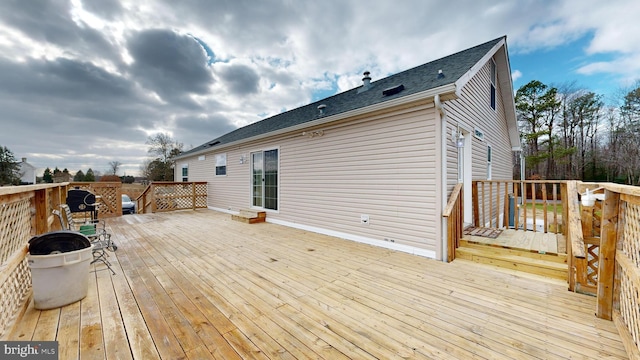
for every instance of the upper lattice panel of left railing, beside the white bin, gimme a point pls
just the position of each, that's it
(15, 222)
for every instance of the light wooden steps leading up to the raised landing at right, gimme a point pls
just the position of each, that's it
(551, 265)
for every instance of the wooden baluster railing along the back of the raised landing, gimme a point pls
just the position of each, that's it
(497, 202)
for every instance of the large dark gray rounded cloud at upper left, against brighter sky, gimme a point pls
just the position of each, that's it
(169, 63)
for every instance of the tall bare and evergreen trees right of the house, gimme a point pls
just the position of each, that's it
(570, 133)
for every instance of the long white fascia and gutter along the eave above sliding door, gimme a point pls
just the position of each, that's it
(449, 88)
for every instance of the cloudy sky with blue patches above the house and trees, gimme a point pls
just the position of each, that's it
(86, 82)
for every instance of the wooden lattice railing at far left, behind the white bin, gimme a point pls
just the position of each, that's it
(25, 211)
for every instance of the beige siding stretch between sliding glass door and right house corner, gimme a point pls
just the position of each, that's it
(384, 168)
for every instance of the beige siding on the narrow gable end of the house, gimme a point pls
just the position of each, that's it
(473, 109)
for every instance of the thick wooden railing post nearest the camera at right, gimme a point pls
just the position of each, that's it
(607, 255)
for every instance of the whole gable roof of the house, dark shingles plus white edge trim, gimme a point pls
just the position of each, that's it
(456, 70)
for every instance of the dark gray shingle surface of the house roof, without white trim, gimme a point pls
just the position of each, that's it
(415, 80)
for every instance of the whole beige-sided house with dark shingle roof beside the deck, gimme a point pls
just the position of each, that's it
(376, 163)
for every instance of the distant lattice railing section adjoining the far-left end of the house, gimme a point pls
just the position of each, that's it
(170, 196)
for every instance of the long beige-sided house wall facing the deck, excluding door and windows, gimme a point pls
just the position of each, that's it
(381, 165)
